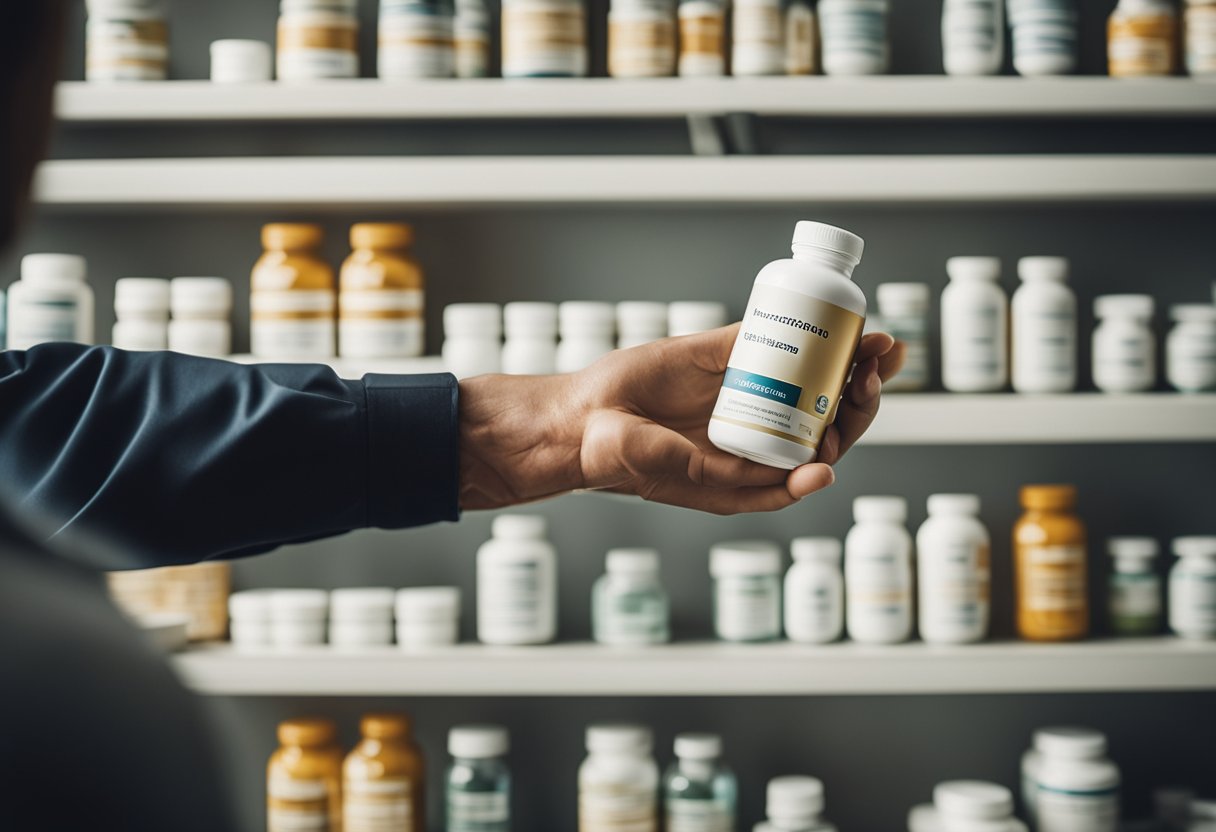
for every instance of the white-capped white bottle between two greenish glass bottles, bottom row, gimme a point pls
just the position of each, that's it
(618, 782)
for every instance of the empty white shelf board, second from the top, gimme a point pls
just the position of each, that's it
(497, 182)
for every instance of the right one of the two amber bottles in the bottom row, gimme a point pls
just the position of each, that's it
(384, 779)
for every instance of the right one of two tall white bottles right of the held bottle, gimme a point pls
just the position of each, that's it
(1044, 328)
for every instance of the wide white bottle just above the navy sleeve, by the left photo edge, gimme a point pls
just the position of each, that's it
(52, 302)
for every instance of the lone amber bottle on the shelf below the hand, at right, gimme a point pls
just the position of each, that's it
(1050, 561)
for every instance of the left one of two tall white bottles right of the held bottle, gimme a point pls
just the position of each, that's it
(975, 327)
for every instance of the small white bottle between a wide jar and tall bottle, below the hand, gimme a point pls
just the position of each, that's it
(814, 603)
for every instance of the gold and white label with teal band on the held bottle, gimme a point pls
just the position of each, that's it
(789, 367)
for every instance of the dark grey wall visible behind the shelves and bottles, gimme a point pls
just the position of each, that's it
(879, 756)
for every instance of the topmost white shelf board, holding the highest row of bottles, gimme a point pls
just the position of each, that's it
(601, 98)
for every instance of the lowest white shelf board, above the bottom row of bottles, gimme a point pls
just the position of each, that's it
(707, 670)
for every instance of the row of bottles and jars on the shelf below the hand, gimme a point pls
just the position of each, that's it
(875, 598)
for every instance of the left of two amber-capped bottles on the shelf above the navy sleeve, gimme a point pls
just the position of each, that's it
(294, 301)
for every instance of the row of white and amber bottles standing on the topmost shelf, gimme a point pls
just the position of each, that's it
(319, 40)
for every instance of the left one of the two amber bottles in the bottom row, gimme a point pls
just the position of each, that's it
(305, 779)
